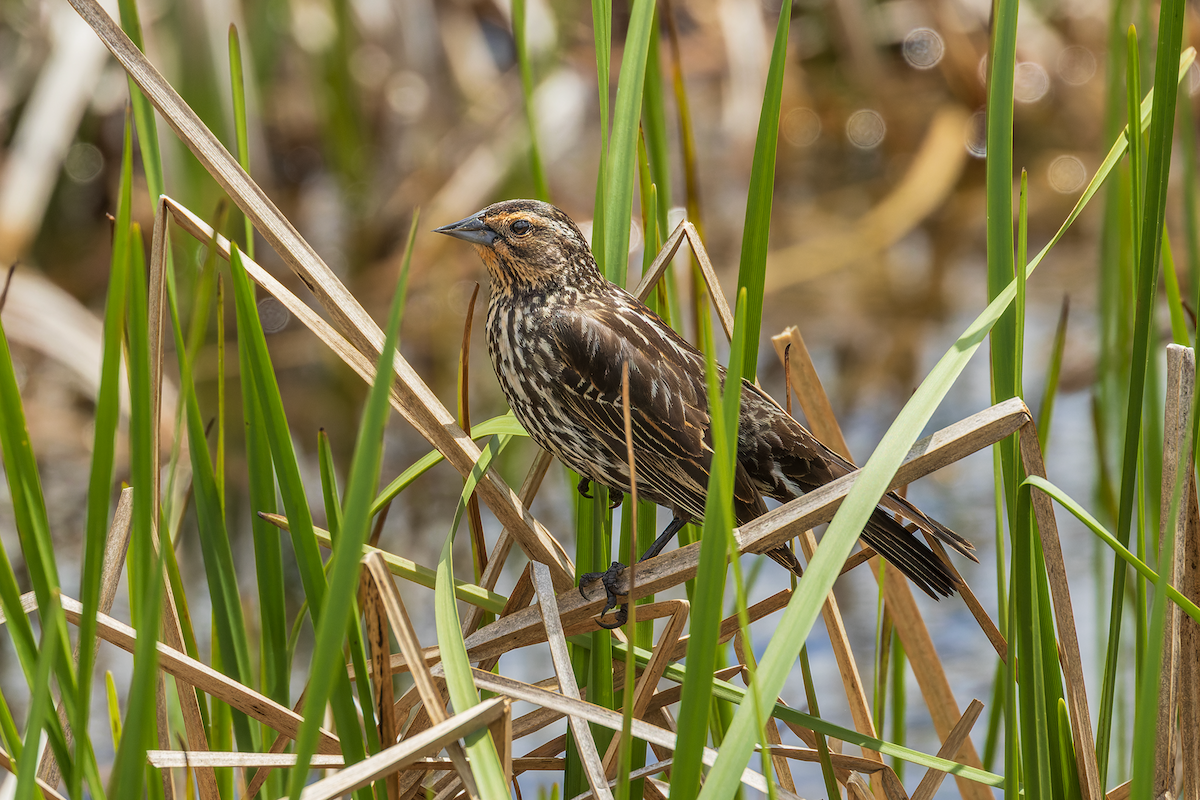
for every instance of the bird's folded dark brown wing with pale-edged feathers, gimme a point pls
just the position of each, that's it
(669, 406)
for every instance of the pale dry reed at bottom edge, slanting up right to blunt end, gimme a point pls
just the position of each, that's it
(391, 760)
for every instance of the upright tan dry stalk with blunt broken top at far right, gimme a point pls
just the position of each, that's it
(1177, 455)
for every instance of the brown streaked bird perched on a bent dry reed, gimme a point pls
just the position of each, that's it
(559, 338)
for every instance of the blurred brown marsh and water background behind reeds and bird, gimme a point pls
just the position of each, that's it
(363, 112)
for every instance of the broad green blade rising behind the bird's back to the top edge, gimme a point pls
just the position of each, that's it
(757, 231)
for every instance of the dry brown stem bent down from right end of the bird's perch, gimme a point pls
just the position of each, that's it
(1065, 618)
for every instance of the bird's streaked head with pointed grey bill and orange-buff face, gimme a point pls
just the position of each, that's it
(529, 245)
